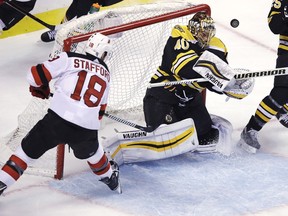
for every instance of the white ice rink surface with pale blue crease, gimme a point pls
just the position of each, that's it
(189, 184)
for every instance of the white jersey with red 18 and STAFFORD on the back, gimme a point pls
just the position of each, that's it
(81, 88)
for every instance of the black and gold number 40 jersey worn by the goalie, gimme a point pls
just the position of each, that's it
(180, 54)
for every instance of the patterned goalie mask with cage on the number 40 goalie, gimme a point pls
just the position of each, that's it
(202, 28)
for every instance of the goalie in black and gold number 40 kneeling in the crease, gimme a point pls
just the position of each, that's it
(192, 51)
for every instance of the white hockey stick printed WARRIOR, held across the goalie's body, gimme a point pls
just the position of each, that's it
(263, 73)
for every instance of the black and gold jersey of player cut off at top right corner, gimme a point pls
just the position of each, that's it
(278, 25)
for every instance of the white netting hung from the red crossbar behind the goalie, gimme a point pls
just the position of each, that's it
(137, 52)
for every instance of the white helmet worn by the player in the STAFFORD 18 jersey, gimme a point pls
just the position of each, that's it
(99, 46)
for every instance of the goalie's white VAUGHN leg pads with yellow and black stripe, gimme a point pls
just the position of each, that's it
(164, 142)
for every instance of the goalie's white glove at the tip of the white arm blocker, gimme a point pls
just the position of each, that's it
(240, 88)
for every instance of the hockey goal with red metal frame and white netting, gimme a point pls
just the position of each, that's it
(141, 37)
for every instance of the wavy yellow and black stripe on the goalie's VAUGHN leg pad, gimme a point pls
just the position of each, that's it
(157, 146)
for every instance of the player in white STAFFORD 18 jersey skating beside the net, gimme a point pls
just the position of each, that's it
(78, 104)
